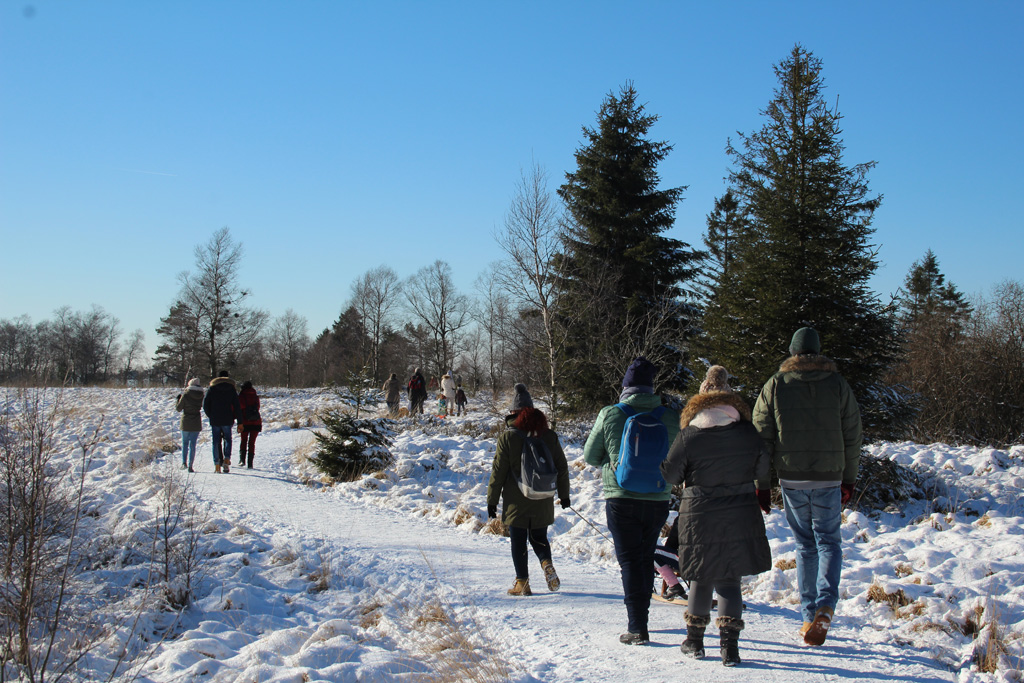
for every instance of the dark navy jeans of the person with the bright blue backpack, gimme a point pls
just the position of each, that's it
(635, 528)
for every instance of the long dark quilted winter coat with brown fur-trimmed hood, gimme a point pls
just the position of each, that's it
(721, 531)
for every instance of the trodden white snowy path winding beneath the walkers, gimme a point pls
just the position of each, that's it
(571, 635)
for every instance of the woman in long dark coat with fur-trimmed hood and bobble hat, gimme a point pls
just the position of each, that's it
(717, 456)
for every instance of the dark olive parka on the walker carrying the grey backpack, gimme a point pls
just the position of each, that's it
(518, 510)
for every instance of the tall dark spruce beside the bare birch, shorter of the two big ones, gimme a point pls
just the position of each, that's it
(618, 266)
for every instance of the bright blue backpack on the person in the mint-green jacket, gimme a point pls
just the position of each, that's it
(646, 445)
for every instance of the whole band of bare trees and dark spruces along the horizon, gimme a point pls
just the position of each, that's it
(591, 279)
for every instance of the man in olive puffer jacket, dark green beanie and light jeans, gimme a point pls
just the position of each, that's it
(810, 423)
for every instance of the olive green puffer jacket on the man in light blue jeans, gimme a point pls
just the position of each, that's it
(810, 422)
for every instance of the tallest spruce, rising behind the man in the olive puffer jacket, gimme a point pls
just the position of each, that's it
(805, 257)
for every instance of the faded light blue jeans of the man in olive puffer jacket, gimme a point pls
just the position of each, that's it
(815, 517)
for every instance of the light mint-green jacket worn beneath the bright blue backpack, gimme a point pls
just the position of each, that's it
(607, 437)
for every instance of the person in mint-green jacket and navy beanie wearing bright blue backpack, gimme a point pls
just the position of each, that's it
(634, 518)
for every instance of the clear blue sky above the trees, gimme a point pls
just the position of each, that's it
(332, 138)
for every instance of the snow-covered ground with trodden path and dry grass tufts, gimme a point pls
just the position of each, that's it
(397, 577)
